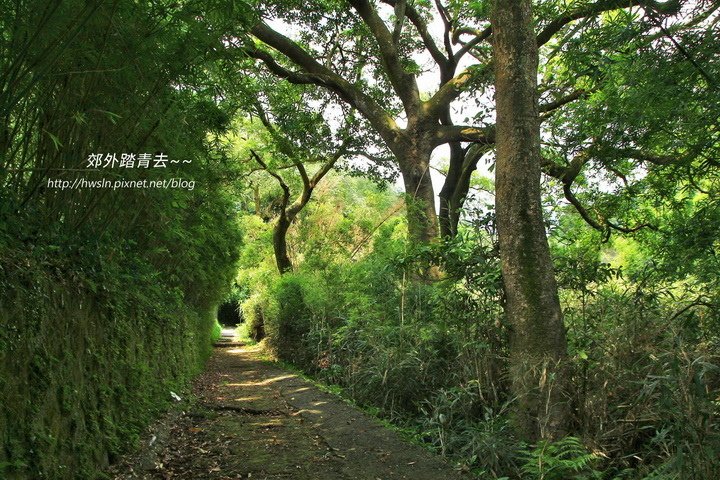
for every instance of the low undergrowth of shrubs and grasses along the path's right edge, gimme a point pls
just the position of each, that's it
(432, 358)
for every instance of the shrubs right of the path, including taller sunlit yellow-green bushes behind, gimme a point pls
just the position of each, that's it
(643, 343)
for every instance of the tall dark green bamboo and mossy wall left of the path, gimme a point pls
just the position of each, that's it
(107, 295)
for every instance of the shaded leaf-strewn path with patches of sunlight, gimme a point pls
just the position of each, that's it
(252, 419)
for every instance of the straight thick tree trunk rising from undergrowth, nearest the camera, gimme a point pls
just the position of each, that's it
(538, 345)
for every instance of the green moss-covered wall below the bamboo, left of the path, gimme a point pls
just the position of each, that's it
(80, 379)
